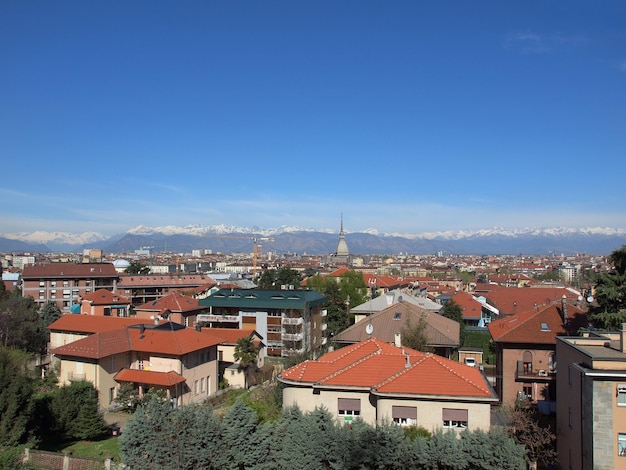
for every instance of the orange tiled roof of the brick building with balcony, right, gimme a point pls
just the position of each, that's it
(537, 326)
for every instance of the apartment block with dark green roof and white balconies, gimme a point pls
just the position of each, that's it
(291, 321)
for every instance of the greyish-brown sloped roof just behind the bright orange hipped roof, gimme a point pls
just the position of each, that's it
(440, 331)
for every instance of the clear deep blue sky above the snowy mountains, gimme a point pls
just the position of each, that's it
(404, 116)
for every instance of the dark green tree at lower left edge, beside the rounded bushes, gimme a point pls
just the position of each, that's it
(16, 398)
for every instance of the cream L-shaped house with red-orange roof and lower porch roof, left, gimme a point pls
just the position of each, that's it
(181, 361)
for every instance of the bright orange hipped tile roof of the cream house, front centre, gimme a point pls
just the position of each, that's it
(388, 370)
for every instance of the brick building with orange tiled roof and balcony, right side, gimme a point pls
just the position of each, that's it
(525, 351)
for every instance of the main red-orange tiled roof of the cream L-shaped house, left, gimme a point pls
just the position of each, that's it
(161, 340)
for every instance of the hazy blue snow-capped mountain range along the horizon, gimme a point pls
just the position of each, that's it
(230, 239)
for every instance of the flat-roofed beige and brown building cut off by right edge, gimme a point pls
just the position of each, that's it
(591, 401)
